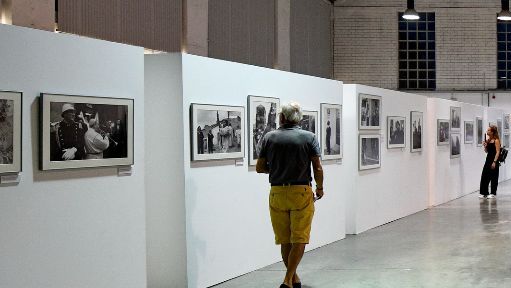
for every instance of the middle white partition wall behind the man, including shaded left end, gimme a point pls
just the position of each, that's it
(228, 229)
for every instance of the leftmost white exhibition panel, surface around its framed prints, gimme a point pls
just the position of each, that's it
(71, 228)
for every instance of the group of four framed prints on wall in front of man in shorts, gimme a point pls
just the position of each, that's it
(218, 131)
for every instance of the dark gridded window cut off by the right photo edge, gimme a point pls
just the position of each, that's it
(503, 55)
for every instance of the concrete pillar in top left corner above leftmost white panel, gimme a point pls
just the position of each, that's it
(39, 14)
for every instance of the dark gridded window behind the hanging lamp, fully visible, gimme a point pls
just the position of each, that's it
(417, 52)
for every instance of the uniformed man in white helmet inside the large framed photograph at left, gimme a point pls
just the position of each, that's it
(67, 139)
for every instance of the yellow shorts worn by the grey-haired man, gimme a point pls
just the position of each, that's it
(291, 212)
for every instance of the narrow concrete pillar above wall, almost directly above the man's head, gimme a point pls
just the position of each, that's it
(283, 40)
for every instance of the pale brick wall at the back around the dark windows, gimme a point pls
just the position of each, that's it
(365, 42)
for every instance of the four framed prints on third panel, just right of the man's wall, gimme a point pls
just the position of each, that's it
(369, 125)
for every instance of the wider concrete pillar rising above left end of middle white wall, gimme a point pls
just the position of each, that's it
(195, 28)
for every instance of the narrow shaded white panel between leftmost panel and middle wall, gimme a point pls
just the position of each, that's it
(164, 186)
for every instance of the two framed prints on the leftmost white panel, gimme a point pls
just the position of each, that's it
(75, 132)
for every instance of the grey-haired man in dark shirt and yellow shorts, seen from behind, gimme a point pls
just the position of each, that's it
(287, 154)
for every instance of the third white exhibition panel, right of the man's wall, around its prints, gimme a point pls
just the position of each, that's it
(399, 187)
